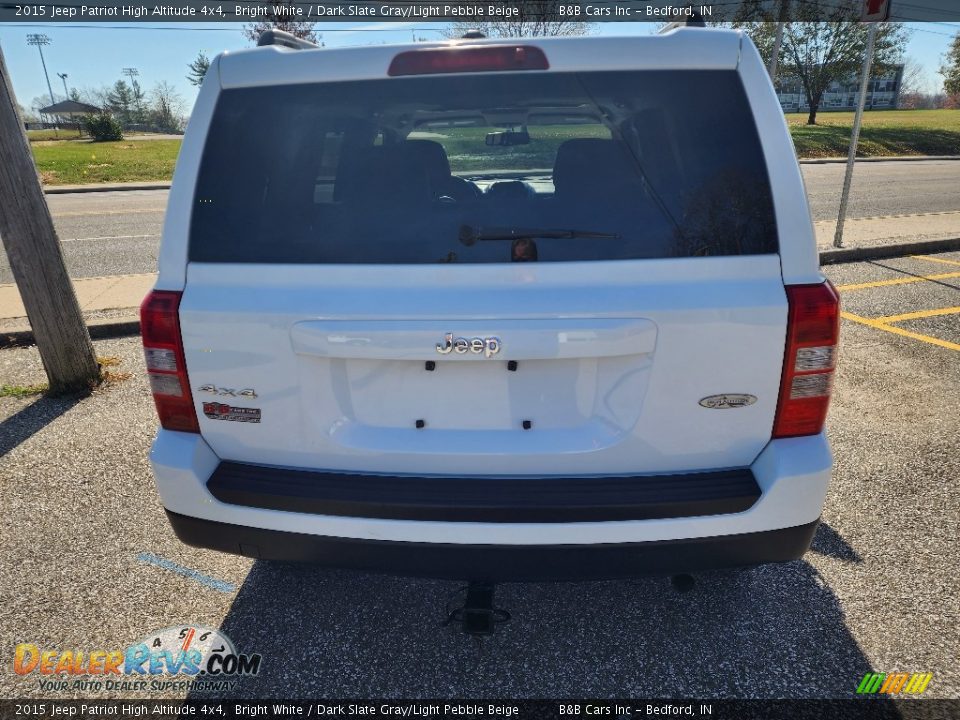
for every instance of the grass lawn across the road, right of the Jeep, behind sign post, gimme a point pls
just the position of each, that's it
(884, 132)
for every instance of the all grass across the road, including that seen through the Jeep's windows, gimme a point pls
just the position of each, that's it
(884, 132)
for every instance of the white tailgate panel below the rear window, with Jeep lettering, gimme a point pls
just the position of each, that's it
(612, 363)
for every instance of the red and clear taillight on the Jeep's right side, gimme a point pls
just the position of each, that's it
(813, 326)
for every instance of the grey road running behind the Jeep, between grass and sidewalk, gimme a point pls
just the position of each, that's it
(118, 232)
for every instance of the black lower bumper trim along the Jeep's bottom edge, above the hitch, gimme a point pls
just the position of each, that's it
(500, 563)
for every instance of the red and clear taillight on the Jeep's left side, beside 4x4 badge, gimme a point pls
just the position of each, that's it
(166, 368)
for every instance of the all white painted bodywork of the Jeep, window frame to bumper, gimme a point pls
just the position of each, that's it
(337, 351)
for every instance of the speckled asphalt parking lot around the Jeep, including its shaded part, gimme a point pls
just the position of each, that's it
(90, 563)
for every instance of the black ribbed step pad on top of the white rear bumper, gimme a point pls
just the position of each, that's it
(498, 500)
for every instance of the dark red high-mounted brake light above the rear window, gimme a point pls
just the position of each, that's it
(468, 59)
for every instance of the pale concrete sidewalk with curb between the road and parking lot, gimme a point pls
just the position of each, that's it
(111, 304)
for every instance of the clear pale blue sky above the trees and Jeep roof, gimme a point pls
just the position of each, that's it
(95, 55)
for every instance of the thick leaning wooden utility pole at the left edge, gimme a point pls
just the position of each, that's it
(36, 258)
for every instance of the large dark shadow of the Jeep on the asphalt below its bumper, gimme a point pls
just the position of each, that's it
(775, 631)
